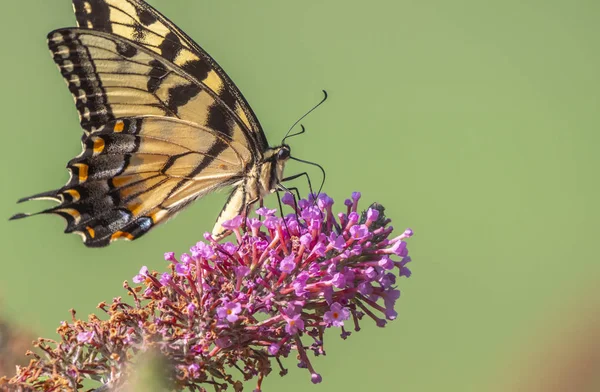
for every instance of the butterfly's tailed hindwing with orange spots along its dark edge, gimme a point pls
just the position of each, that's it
(127, 179)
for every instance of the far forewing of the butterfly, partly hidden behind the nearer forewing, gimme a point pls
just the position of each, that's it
(138, 22)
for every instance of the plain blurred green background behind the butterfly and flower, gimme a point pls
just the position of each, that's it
(476, 123)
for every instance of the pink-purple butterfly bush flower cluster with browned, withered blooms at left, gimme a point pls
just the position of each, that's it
(228, 307)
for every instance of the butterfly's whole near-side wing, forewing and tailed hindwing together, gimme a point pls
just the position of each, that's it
(156, 139)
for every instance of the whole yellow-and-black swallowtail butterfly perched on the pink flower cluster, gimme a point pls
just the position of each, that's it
(163, 126)
